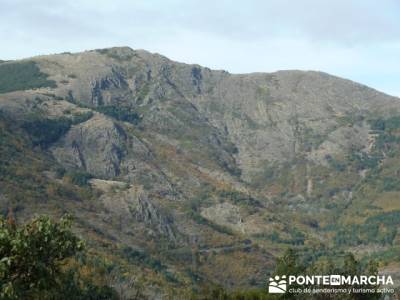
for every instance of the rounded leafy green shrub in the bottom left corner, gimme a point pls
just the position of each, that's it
(32, 255)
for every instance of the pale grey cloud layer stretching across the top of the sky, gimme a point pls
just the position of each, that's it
(339, 21)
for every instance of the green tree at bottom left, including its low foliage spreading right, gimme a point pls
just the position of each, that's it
(33, 258)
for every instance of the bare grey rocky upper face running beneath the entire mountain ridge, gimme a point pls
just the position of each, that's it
(242, 119)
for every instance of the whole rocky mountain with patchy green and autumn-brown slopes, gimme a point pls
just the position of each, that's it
(187, 176)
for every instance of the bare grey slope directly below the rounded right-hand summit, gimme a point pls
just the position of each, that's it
(272, 117)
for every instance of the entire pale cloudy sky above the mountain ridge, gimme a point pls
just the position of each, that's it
(355, 39)
